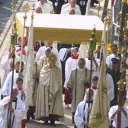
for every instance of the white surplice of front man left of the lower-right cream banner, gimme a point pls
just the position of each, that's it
(81, 114)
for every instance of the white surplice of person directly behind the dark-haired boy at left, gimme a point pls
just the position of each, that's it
(6, 89)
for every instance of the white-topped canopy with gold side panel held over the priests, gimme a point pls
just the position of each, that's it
(62, 28)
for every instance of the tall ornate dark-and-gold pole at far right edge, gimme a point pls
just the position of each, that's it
(122, 48)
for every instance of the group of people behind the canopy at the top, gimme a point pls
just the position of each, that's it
(64, 7)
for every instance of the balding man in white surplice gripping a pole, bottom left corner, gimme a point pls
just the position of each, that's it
(12, 111)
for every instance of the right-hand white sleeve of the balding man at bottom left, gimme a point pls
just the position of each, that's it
(20, 114)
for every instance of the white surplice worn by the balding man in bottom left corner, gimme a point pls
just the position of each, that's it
(17, 116)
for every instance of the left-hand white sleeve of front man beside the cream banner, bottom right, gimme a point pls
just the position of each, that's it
(78, 118)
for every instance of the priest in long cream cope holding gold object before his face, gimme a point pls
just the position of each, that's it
(49, 105)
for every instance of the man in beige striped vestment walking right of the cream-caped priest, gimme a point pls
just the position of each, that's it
(77, 83)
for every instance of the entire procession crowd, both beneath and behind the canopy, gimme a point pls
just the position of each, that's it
(58, 71)
